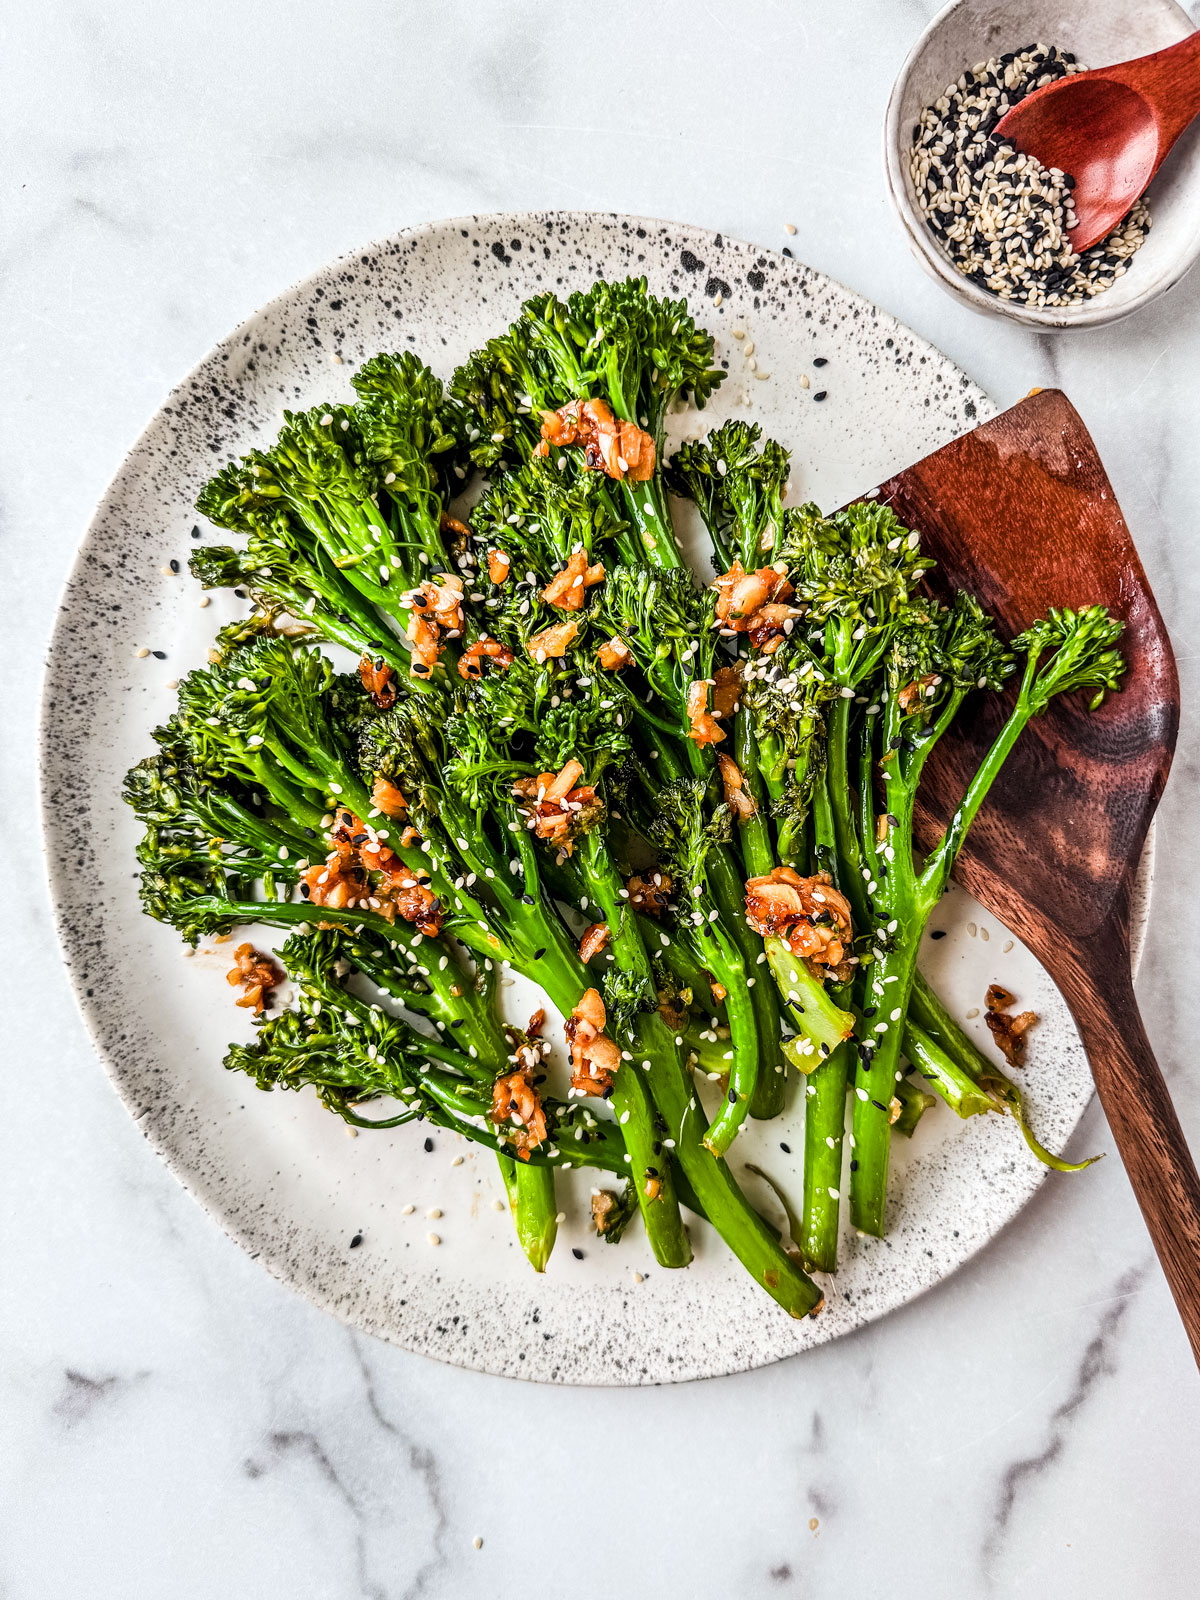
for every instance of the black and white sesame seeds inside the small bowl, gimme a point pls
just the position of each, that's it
(1002, 218)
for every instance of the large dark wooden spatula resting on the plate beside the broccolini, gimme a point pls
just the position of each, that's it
(1023, 516)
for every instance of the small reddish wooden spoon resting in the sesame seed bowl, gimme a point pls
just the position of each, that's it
(1110, 130)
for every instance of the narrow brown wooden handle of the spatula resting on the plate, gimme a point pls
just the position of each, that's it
(1146, 1130)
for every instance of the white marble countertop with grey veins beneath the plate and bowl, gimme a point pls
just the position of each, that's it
(175, 1423)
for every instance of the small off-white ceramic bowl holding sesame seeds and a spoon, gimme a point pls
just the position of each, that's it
(1100, 33)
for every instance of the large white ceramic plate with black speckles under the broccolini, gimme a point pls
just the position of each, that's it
(855, 396)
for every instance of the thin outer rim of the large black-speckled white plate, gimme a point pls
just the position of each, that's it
(68, 948)
